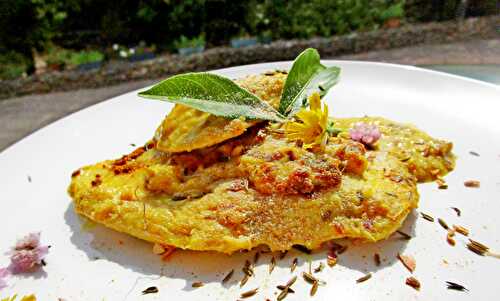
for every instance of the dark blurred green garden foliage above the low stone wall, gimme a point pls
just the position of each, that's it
(71, 33)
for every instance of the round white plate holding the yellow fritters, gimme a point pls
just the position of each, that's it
(101, 264)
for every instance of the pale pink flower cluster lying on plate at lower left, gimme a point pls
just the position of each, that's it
(28, 254)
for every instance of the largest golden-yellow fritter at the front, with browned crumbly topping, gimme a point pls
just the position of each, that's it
(258, 189)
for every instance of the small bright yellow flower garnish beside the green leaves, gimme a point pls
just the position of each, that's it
(311, 125)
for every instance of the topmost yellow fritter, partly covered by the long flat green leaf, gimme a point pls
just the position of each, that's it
(186, 129)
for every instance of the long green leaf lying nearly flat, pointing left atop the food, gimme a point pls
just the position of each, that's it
(212, 94)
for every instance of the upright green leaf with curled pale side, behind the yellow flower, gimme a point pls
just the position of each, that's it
(307, 75)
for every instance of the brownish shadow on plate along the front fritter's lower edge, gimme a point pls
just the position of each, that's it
(101, 243)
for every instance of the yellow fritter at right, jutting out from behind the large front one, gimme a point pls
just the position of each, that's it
(426, 157)
